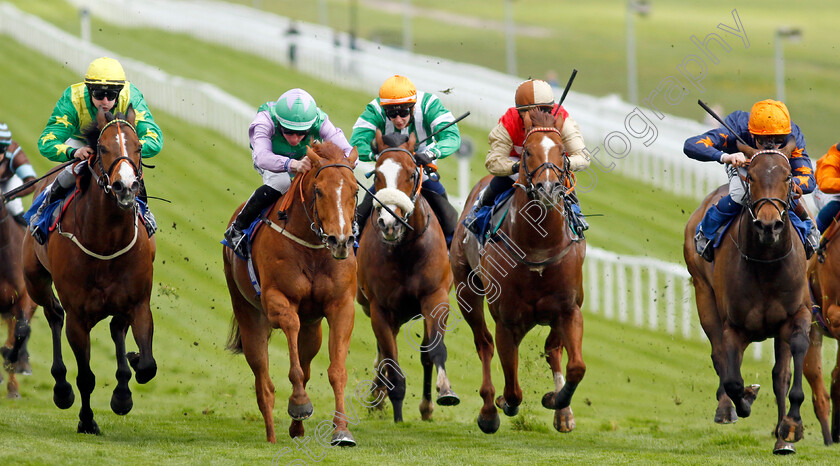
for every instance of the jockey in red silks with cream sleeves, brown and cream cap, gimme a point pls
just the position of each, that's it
(508, 137)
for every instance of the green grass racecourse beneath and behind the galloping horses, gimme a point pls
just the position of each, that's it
(647, 397)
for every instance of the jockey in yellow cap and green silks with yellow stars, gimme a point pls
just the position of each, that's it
(104, 88)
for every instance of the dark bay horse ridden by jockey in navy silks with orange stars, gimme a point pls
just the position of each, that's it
(756, 289)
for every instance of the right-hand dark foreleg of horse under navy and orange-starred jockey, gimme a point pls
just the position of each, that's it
(790, 428)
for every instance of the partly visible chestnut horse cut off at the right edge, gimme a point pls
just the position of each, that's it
(824, 278)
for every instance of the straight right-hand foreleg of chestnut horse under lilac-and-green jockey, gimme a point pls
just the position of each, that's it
(340, 318)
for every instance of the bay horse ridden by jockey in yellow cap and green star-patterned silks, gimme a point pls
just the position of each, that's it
(101, 263)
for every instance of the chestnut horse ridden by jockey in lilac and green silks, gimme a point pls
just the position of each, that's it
(305, 274)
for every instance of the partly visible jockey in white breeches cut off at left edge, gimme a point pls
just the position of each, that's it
(15, 169)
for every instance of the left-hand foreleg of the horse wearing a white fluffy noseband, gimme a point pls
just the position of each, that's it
(388, 369)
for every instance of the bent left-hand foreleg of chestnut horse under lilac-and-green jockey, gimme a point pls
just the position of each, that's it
(282, 314)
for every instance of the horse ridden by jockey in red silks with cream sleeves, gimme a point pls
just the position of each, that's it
(532, 275)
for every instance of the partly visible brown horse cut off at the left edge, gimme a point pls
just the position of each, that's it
(16, 307)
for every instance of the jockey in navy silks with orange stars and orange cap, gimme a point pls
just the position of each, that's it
(767, 127)
